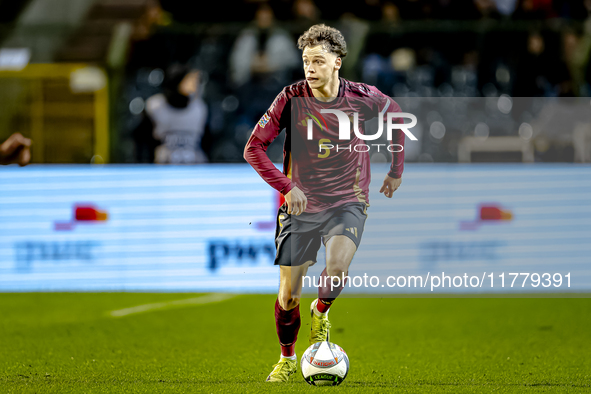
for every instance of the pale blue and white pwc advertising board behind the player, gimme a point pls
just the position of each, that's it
(211, 228)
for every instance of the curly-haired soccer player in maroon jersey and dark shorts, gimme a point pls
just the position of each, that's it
(326, 191)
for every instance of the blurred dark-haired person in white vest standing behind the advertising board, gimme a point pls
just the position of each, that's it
(176, 118)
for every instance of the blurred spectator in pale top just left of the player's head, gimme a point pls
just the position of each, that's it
(263, 52)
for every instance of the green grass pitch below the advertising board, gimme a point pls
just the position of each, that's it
(69, 343)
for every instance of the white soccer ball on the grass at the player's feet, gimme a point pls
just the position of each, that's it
(324, 364)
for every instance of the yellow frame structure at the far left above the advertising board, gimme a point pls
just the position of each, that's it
(63, 107)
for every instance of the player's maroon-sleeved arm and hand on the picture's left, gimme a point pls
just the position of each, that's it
(255, 153)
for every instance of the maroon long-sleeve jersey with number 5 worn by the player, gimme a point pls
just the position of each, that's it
(329, 170)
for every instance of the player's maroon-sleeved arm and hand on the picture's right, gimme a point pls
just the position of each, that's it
(393, 179)
